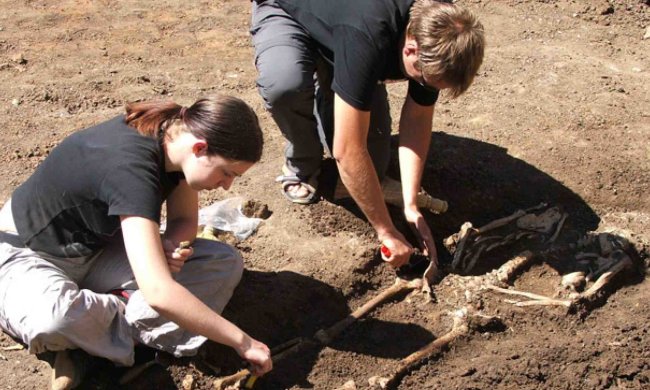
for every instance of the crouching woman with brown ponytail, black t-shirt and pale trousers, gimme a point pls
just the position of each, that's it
(87, 223)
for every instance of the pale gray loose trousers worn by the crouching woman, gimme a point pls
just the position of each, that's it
(55, 304)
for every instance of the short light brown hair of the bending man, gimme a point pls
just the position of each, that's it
(450, 41)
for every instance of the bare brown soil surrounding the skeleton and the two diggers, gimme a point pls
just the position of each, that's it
(558, 113)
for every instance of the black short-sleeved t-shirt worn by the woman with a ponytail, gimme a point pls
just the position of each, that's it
(72, 203)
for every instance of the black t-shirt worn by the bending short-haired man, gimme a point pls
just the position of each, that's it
(361, 38)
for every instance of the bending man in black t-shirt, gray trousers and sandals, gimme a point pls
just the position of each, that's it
(323, 65)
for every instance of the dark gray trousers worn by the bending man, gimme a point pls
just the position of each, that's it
(294, 81)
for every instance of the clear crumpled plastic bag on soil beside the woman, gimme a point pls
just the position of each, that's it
(227, 215)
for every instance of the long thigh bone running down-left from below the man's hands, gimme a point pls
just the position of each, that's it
(325, 336)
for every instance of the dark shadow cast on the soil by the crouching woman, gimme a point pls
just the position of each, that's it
(273, 307)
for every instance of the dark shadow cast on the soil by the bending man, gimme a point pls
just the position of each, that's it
(481, 182)
